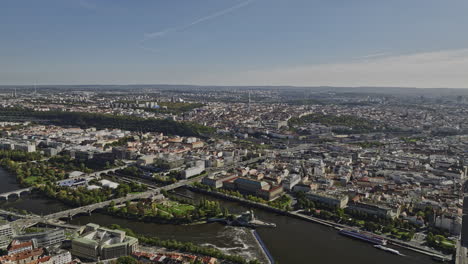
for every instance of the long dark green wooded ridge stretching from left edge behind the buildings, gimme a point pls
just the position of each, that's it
(102, 121)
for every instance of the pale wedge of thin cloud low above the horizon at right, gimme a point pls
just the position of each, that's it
(438, 69)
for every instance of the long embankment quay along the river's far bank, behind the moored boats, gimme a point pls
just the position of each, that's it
(312, 219)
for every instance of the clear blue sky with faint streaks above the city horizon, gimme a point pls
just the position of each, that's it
(398, 43)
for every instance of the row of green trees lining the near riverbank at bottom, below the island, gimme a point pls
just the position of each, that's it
(185, 247)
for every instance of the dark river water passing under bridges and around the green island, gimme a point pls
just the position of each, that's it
(293, 241)
